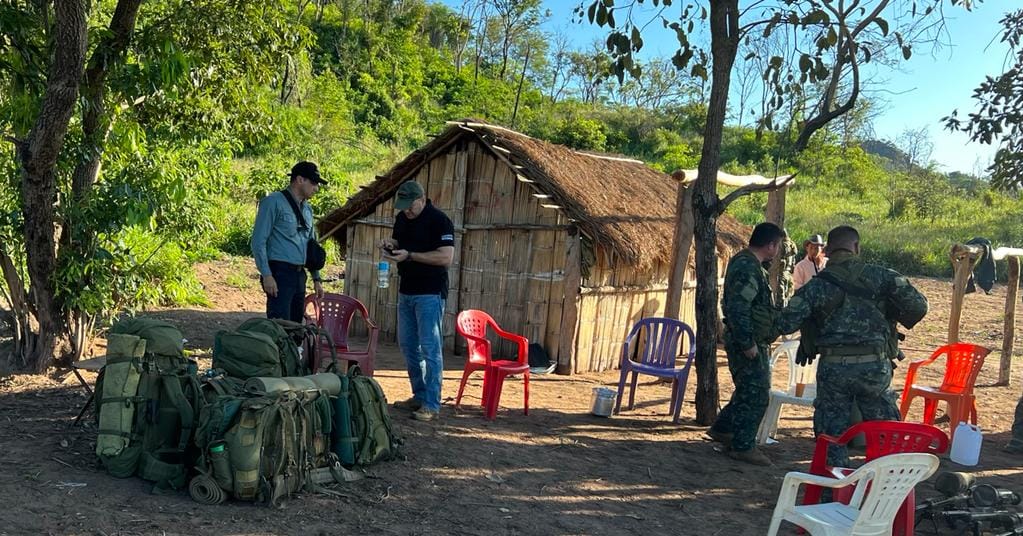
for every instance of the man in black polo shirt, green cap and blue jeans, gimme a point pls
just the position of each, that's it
(423, 246)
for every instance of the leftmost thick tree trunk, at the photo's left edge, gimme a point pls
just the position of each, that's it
(38, 157)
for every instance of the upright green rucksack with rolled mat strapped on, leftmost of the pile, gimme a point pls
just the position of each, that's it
(159, 390)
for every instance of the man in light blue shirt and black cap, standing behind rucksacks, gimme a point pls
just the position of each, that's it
(280, 243)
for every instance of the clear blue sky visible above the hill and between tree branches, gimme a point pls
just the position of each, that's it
(926, 88)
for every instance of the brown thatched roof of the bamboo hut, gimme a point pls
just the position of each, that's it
(620, 204)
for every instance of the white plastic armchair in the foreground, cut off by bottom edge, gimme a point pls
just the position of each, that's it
(882, 486)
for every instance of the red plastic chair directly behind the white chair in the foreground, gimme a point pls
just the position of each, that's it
(883, 438)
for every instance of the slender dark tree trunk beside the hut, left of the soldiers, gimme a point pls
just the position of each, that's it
(725, 43)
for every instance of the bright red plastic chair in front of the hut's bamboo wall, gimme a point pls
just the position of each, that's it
(473, 326)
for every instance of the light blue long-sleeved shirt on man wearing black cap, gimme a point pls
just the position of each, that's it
(277, 236)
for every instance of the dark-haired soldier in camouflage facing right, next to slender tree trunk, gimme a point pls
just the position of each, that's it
(747, 302)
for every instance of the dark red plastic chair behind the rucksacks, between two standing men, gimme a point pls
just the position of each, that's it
(334, 314)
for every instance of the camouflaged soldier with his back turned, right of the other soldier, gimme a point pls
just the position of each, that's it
(848, 315)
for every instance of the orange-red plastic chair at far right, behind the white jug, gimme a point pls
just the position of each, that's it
(962, 369)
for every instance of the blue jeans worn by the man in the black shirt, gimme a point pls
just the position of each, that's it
(421, 341)
